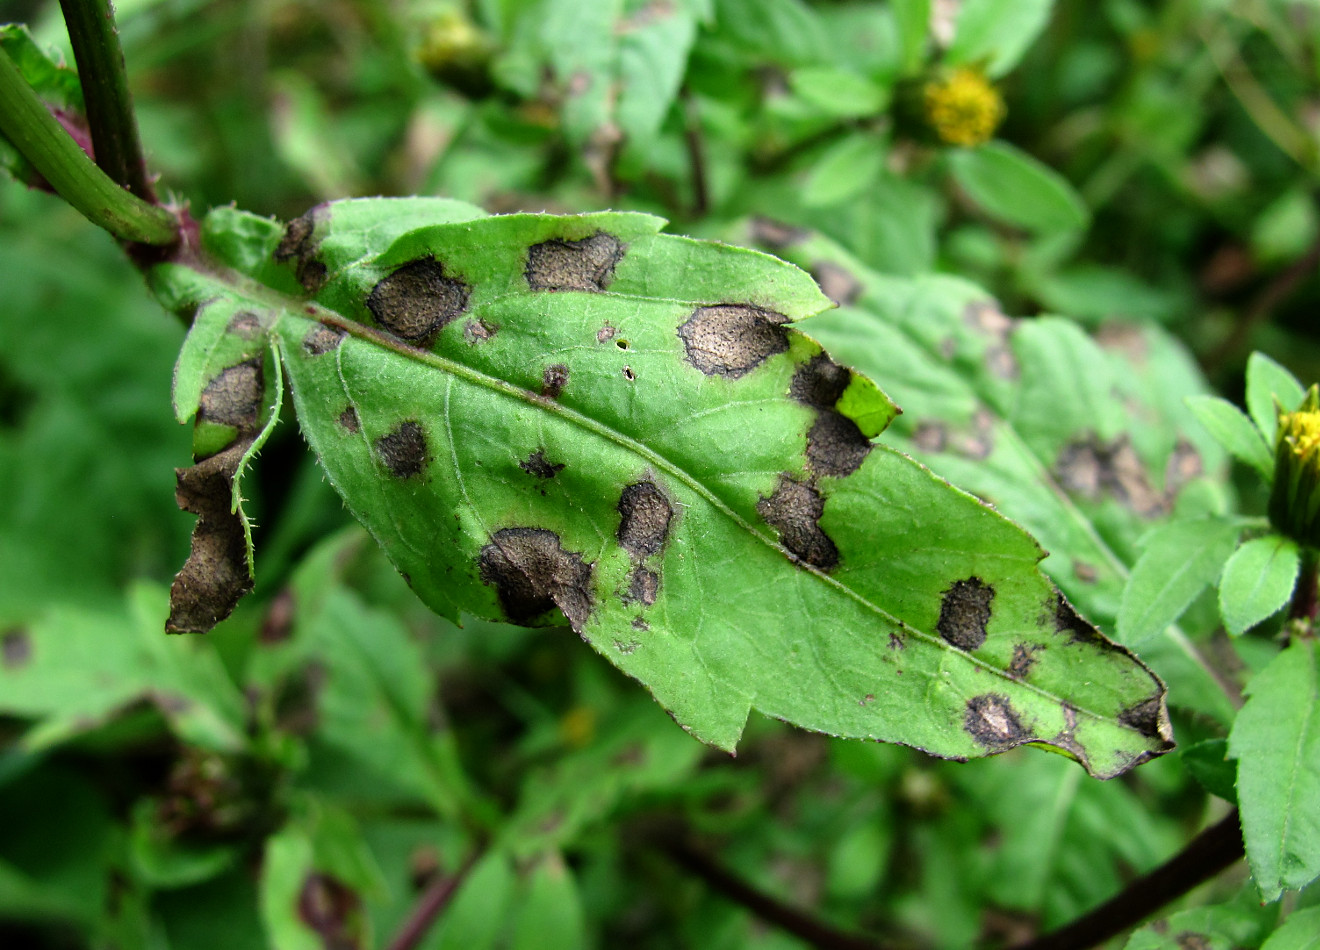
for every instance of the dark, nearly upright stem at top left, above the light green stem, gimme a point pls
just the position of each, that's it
(105, 84)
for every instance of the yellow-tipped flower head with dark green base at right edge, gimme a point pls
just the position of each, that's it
(1296, 494)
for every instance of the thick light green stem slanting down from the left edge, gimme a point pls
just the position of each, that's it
(28, 125)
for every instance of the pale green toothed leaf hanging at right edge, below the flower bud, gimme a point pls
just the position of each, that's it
(1277, 745)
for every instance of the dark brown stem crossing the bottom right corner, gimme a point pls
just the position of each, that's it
(1206, 856)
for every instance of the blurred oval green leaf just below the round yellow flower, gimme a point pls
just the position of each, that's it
(1017, 189)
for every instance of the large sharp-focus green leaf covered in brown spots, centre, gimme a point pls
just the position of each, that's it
(546, 419)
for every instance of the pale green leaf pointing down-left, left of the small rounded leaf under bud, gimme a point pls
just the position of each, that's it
(1179, 561)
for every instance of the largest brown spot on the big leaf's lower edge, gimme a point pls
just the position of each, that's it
(533, 575)
